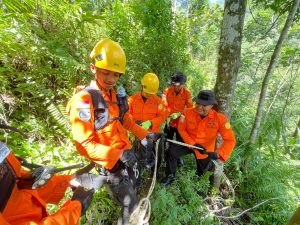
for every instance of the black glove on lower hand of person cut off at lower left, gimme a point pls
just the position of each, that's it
(84, 197)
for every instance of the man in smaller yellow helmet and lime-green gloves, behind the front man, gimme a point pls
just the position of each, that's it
(147, 110)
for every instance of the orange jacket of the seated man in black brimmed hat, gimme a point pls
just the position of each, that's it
(195, 130)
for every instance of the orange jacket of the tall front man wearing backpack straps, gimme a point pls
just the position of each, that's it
(104, 147)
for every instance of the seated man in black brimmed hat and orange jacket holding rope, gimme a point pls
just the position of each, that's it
(199, 126)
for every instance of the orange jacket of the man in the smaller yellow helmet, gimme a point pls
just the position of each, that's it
(152, 109)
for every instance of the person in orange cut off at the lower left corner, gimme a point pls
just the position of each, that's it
(20, 205)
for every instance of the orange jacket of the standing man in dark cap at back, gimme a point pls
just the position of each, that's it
(176, 102)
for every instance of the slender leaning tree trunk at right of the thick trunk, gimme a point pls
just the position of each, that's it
(270, 69)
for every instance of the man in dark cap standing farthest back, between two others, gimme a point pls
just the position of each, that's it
(176, 98)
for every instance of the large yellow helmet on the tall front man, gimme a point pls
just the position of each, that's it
(109, 55)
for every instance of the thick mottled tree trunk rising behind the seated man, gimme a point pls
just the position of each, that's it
(229, 53)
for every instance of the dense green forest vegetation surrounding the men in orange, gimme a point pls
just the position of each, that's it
(44, 54)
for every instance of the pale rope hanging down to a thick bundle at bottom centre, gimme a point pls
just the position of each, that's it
(142, 213)
